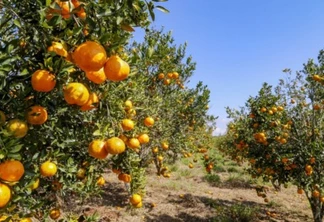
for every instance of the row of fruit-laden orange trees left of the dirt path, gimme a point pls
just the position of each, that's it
(78, 100)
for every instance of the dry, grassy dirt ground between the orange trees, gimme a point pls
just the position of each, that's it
(190, 198)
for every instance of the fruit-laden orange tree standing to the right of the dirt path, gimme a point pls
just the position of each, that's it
(280, 133)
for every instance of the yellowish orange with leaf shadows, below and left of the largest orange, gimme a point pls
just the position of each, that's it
(76, 93)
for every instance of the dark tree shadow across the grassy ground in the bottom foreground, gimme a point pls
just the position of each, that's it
(223, 211)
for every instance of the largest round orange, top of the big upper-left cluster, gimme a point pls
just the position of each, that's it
(90, 56)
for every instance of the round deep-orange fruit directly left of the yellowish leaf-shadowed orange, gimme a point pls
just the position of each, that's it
(43, 81)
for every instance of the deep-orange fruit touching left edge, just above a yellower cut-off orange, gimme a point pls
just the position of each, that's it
(11, 170)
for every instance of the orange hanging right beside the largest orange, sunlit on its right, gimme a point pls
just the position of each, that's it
(116, 69)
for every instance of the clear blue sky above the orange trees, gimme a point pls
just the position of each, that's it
(238, 44)
